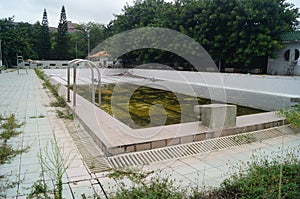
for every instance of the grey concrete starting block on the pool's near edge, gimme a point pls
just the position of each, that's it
(217, 116)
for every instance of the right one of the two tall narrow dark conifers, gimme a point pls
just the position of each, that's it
(62, 45)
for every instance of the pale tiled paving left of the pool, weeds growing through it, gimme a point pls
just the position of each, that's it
(24, 96)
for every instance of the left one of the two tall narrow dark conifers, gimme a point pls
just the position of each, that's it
(45, 46)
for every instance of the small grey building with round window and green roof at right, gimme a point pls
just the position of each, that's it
(279, 66)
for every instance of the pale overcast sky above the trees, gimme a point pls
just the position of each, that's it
(78, 11)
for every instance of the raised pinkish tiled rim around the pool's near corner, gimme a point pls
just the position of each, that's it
(115, 137)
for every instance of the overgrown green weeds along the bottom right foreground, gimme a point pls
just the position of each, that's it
(274, 176)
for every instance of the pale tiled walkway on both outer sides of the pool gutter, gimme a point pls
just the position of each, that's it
(25, 96)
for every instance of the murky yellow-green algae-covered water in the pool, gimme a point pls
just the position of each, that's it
(142, 107)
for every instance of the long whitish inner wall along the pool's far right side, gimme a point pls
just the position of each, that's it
(257, 91)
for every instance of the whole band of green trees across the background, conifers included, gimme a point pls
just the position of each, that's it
(236, 33)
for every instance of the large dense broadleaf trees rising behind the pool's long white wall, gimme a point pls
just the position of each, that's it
(236, 33)
